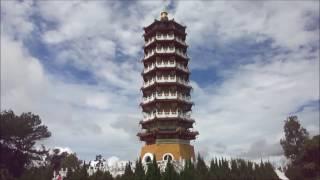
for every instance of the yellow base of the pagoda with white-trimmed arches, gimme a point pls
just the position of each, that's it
(178, 151)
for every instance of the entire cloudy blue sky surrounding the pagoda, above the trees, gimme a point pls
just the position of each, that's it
(77, 65)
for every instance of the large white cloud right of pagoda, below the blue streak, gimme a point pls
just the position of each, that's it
(252, 102)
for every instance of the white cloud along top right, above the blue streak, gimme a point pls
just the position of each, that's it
(285, 23)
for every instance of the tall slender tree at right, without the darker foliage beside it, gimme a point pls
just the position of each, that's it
(295, 136)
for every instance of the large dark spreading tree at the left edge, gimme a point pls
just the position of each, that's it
(18, 135)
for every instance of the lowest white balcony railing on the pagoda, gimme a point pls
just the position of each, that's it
(166, 114)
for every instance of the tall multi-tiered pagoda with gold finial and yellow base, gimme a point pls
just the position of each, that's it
(166, 103)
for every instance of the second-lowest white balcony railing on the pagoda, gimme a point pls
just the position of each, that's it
(166, 96)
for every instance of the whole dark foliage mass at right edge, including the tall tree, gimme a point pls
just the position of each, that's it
(303, 152)
